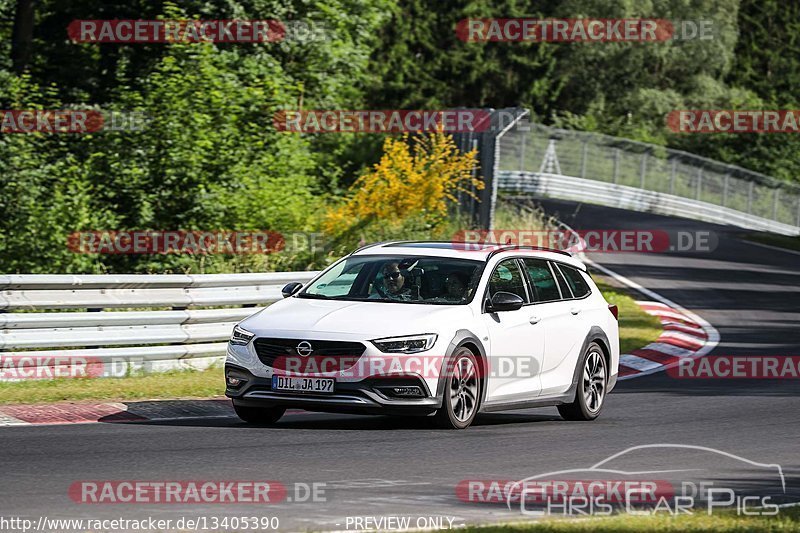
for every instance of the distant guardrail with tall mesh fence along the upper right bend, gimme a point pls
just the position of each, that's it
(617, 172)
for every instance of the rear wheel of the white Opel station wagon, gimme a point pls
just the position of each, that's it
(590, 392)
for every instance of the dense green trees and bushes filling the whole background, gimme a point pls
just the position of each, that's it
(210, 158)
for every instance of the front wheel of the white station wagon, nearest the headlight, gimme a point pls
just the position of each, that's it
(462, 391)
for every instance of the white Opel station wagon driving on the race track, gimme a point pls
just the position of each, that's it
(432, 329)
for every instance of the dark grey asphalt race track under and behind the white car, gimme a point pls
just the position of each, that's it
(375, 466)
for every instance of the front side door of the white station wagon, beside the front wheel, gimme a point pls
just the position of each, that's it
(516, 344)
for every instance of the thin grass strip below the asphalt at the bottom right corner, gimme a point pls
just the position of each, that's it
(788, 519)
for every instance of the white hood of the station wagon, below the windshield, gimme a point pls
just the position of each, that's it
(365, 320)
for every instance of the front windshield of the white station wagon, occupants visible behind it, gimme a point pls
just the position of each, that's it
(383, 278)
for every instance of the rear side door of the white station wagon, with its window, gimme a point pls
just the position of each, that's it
(558, 316)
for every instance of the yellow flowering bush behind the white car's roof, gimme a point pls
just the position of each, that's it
(415, 183)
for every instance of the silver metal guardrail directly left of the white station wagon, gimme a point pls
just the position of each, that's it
(155, 321)
